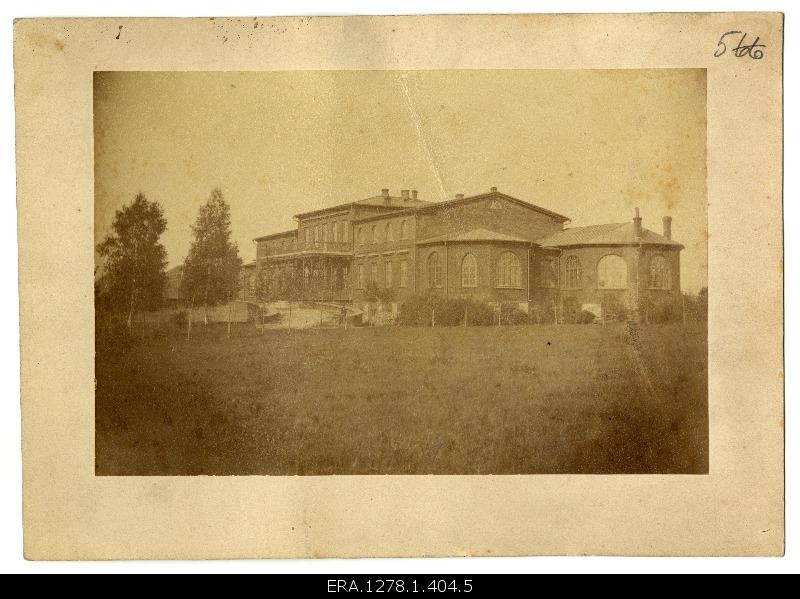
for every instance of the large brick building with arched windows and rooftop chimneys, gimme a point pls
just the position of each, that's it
(490, 247)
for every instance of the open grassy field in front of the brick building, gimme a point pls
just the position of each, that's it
(394, 400)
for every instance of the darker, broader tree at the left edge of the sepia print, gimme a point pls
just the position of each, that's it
(135, 260)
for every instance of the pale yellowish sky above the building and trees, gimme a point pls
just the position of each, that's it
(589, 144)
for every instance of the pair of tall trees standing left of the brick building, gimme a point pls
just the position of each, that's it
(134, 259)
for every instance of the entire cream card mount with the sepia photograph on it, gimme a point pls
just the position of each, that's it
(293, 249)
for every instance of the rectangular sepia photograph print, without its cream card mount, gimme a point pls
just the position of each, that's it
(400, 272)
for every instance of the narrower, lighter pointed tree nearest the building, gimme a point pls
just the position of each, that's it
(211, 270)
